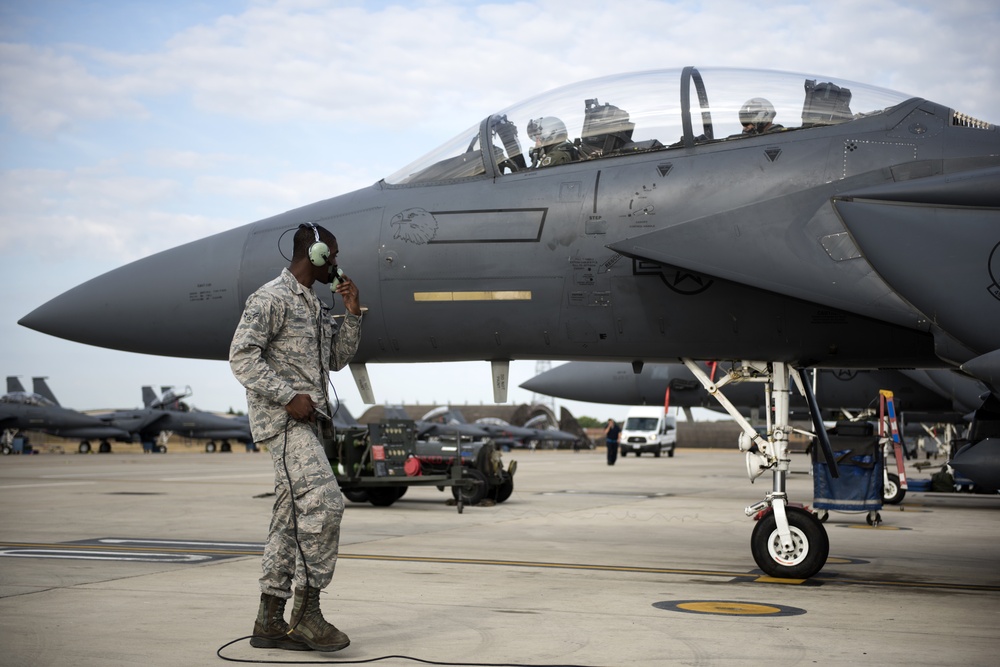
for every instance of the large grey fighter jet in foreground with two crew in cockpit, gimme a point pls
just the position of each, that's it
(691, 214)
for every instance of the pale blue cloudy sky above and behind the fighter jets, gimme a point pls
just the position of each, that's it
(128, 128)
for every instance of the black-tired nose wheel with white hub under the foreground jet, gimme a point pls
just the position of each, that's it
(810, 545)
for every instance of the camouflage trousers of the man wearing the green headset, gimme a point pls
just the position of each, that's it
(308, 555)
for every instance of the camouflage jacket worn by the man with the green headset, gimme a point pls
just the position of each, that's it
(286, 344)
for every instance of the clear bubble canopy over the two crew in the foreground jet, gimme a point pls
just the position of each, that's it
(649, 111)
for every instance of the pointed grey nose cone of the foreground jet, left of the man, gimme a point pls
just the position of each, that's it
(167, 304)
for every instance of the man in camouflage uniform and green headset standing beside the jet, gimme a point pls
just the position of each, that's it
(283, 350)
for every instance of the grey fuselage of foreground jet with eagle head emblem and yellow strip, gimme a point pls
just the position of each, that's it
(709, 247)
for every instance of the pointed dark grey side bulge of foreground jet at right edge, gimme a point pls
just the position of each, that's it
(947, 226)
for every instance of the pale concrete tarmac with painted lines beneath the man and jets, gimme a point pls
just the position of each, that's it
(130, 559)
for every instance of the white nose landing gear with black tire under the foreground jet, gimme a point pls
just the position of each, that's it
(788, 541)
